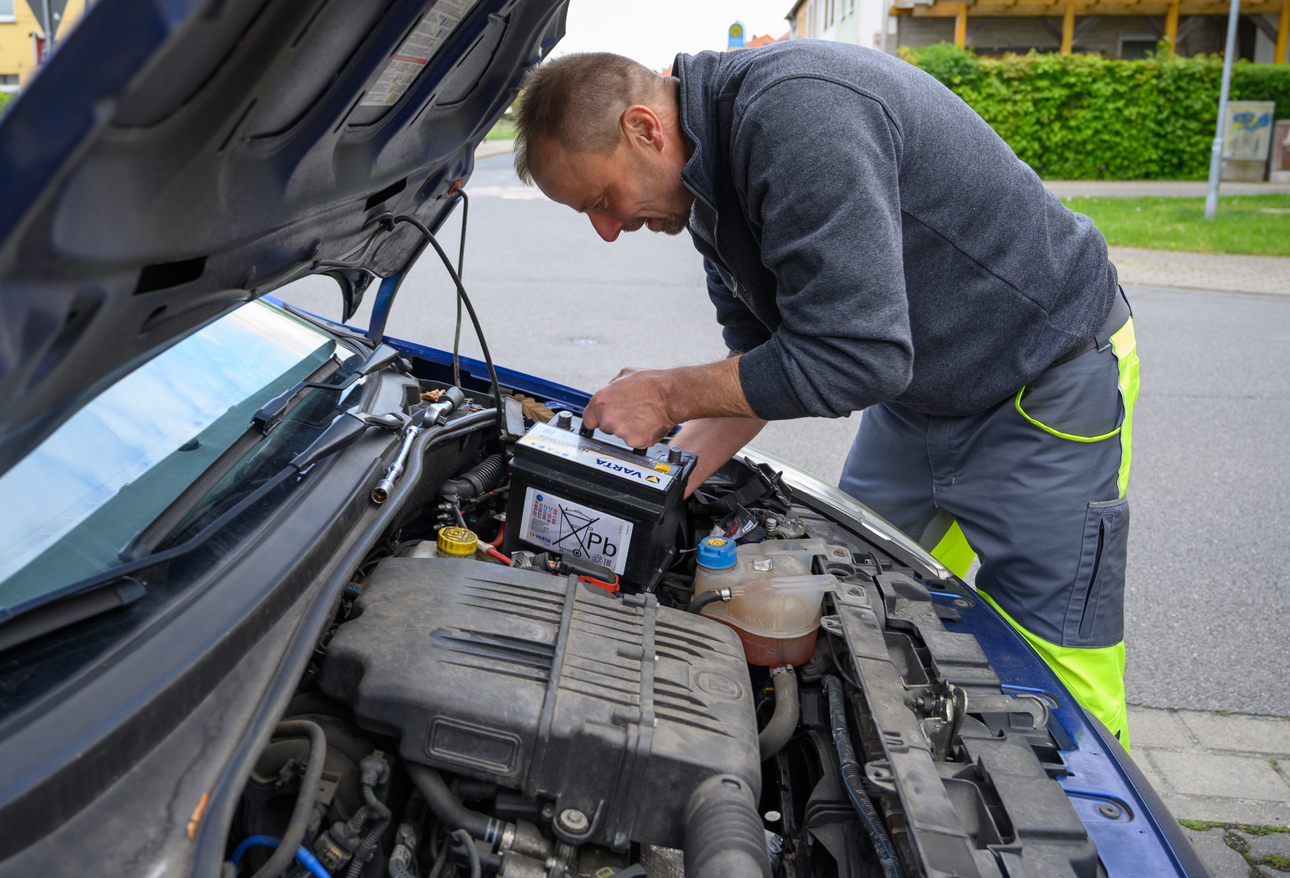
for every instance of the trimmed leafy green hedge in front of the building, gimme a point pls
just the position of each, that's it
(1083, 117)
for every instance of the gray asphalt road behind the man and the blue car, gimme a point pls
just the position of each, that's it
(1209, 595)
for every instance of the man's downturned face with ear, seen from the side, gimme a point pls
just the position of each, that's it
(621, 193)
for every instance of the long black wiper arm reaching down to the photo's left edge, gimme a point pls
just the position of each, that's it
(118, 587)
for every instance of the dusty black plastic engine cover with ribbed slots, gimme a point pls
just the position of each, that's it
(615, 707)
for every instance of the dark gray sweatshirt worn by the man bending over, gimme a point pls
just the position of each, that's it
(869, 238)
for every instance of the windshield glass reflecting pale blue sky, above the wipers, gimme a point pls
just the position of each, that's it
(127, 456)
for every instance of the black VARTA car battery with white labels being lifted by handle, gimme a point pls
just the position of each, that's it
(589, 498)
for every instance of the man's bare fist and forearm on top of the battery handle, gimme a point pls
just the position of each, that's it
(642, 405)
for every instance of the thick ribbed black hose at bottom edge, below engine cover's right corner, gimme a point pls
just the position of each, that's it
(724, 837)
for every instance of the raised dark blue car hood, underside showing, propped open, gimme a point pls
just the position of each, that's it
(179, 158)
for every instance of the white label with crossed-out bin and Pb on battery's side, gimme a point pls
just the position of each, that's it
(568, 528)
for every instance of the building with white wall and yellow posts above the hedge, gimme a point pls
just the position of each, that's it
(1115, 29)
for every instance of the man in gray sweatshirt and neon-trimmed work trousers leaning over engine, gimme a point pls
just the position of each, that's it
(871, 244)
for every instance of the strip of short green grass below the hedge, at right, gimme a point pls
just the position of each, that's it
(1253, 225)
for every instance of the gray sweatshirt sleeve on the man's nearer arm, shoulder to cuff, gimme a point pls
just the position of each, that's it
(817, 164)
